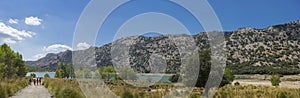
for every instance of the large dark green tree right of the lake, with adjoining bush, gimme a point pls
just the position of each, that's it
(204, 66)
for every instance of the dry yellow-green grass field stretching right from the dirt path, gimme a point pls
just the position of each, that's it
(69, 88)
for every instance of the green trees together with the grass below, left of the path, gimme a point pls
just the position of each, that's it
(12, 72)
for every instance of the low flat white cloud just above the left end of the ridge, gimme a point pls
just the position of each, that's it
(56, 48)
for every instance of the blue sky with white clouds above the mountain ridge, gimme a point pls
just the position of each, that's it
(37, 27)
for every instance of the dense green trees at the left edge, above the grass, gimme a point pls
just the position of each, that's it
(11, 63)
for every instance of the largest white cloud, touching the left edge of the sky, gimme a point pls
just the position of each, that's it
(11, 35)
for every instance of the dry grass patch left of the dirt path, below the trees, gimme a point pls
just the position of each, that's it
(8, 87)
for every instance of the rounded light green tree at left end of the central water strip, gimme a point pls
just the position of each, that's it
(127, 73)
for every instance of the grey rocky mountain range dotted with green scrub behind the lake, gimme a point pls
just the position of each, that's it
(273, 47)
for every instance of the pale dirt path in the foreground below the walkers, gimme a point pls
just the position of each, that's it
(33, 92)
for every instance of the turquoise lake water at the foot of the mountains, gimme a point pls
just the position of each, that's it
(155, 78)
